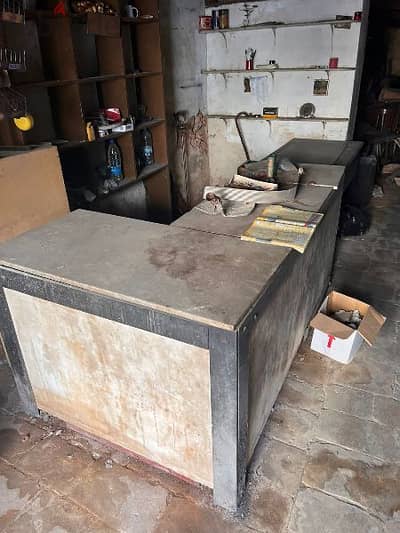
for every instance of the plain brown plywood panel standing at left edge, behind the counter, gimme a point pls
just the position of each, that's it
(32, 191)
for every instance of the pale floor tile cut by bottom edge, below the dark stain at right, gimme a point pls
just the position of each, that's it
(315, 512)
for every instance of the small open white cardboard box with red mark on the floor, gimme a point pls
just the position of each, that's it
(338, 341)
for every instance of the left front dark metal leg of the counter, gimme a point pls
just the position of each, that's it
(14, 355)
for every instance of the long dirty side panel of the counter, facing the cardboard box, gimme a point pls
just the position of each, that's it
(290, 303)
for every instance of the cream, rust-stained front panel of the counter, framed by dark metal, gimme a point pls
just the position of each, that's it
(146, 393)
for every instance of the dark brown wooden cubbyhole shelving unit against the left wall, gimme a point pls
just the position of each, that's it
(71, 74)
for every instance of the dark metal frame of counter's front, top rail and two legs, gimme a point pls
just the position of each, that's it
(228, 367)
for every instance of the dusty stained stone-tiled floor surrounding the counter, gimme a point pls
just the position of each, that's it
(328, 462)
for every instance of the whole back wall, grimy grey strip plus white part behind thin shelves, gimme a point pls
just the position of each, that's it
(213, 147)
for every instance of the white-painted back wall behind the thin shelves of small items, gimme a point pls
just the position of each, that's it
(291, 47)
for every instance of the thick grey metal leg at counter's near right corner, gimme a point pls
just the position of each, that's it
(229, 404)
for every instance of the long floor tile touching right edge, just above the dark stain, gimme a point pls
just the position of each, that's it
(360, 435)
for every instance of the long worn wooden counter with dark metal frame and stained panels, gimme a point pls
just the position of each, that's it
(169, 341)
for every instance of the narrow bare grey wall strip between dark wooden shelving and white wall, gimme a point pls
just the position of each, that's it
(184, 58)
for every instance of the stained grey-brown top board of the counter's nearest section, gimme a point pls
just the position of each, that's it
(211, 279)
